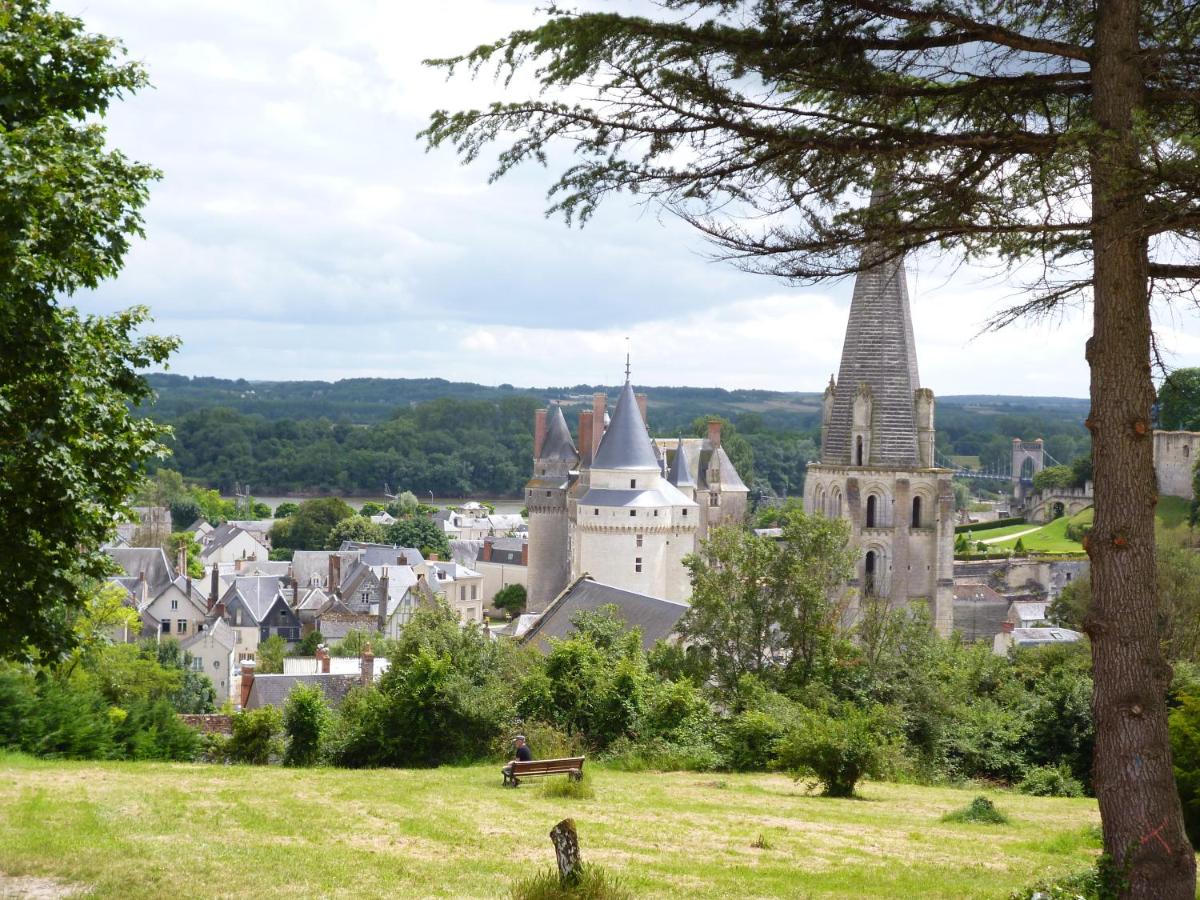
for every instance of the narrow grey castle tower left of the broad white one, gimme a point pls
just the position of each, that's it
(555, 459)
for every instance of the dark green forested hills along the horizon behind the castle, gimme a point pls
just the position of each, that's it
(458, 439)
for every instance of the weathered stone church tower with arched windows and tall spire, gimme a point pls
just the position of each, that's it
(878, 467)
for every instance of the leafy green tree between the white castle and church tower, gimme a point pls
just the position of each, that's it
(763, 607)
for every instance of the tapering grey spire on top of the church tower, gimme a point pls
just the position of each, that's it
(880, 352)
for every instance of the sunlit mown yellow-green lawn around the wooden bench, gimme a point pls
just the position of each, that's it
(175, 830)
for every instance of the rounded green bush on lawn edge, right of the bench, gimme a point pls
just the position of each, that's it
(839, 748)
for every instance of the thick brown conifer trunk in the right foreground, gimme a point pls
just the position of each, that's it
(1135, 783)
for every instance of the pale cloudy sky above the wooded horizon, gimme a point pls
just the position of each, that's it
(302, 231)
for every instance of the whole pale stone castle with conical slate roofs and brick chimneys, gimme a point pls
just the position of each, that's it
(620, 506)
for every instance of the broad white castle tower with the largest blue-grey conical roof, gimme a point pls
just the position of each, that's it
(631, 526)
